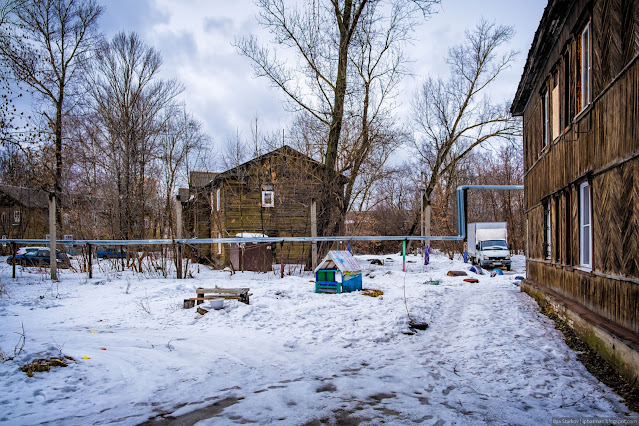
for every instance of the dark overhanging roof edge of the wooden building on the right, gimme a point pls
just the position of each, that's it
(546, 37)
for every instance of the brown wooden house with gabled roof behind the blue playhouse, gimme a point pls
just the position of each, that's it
(271, 195)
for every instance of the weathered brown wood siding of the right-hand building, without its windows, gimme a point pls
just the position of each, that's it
(600, 145)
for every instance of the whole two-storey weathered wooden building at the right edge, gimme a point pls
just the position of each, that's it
(579, 98)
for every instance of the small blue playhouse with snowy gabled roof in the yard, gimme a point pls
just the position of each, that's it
(339, 272)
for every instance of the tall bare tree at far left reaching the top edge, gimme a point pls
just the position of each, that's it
(47, 52)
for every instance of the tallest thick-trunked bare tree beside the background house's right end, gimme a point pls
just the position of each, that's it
(320, 35)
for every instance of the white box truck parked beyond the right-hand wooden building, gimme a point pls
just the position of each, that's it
(488, 244)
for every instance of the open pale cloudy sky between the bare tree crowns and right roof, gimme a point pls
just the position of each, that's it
(195, 36)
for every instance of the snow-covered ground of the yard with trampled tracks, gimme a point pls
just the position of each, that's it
(291, 356)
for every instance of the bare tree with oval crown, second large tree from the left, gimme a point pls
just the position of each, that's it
(126, 102)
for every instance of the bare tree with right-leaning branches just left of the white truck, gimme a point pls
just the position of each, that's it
(455, 115)
